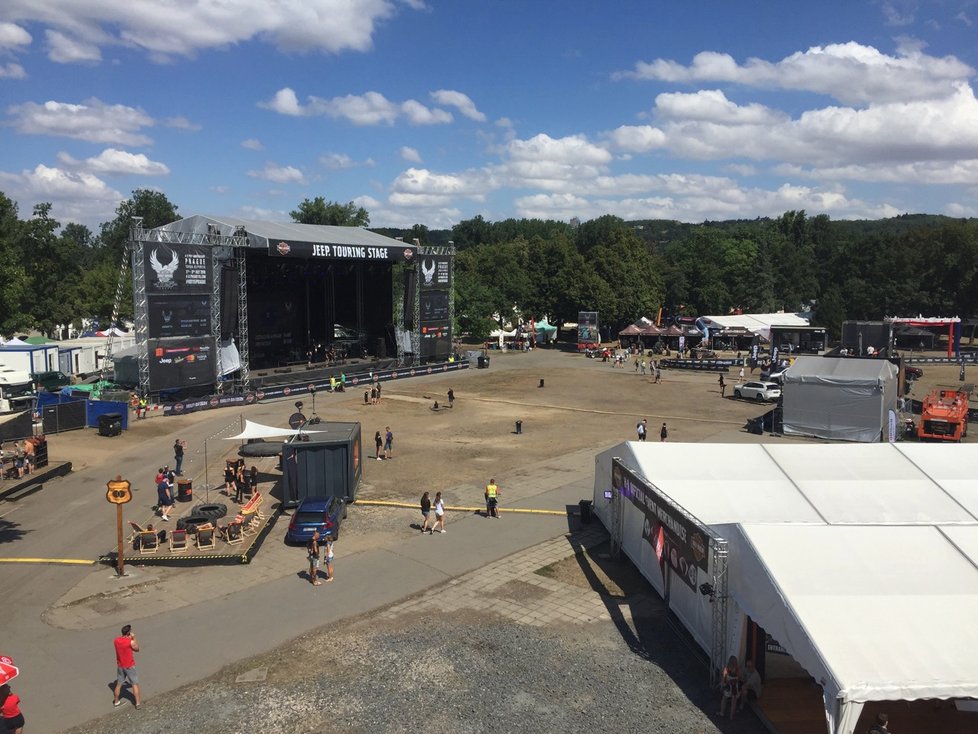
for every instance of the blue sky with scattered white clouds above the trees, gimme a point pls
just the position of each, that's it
(434, 111)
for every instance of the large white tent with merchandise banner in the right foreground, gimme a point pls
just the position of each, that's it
(860, 559)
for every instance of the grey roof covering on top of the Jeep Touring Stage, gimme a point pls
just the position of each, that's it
(261, 233)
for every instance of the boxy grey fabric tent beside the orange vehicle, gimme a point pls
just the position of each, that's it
(845, 399)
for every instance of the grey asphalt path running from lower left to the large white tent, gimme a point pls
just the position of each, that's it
(214, 617)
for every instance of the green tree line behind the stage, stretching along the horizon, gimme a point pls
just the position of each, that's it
(52, 275)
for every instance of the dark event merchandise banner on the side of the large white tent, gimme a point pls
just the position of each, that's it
(682, 545)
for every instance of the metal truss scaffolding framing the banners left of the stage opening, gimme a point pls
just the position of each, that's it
(225, 249)
